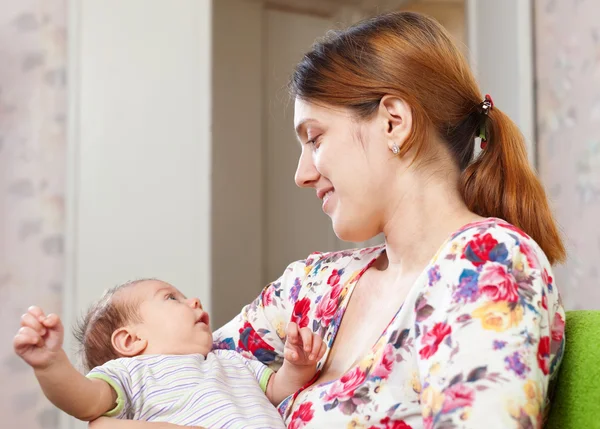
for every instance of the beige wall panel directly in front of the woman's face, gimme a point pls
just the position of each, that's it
(295, 223)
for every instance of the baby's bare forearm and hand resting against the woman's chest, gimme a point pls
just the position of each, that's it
(303, 350)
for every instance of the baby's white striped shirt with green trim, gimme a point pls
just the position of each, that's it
(224, 390)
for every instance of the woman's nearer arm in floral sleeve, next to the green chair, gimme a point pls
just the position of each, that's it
(489, 333)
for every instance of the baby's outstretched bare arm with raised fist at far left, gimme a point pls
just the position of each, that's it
(39, 343)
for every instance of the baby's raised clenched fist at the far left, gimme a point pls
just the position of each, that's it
(40, 338)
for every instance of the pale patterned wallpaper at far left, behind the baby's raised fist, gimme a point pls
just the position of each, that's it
(32, 185)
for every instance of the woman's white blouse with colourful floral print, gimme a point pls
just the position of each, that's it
(476, 343)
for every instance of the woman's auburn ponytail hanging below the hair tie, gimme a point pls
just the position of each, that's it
(500, 183)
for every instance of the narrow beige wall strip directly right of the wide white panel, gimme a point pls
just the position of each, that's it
(237, 153)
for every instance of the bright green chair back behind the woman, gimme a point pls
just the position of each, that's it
(576, 402)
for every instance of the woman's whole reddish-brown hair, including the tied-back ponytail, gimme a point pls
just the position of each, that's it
(411, 56)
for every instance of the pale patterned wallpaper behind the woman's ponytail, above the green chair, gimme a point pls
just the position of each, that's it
(567, 35)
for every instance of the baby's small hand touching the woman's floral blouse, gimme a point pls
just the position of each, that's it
(302, 346)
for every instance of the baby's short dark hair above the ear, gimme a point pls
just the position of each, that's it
(94, 331)
